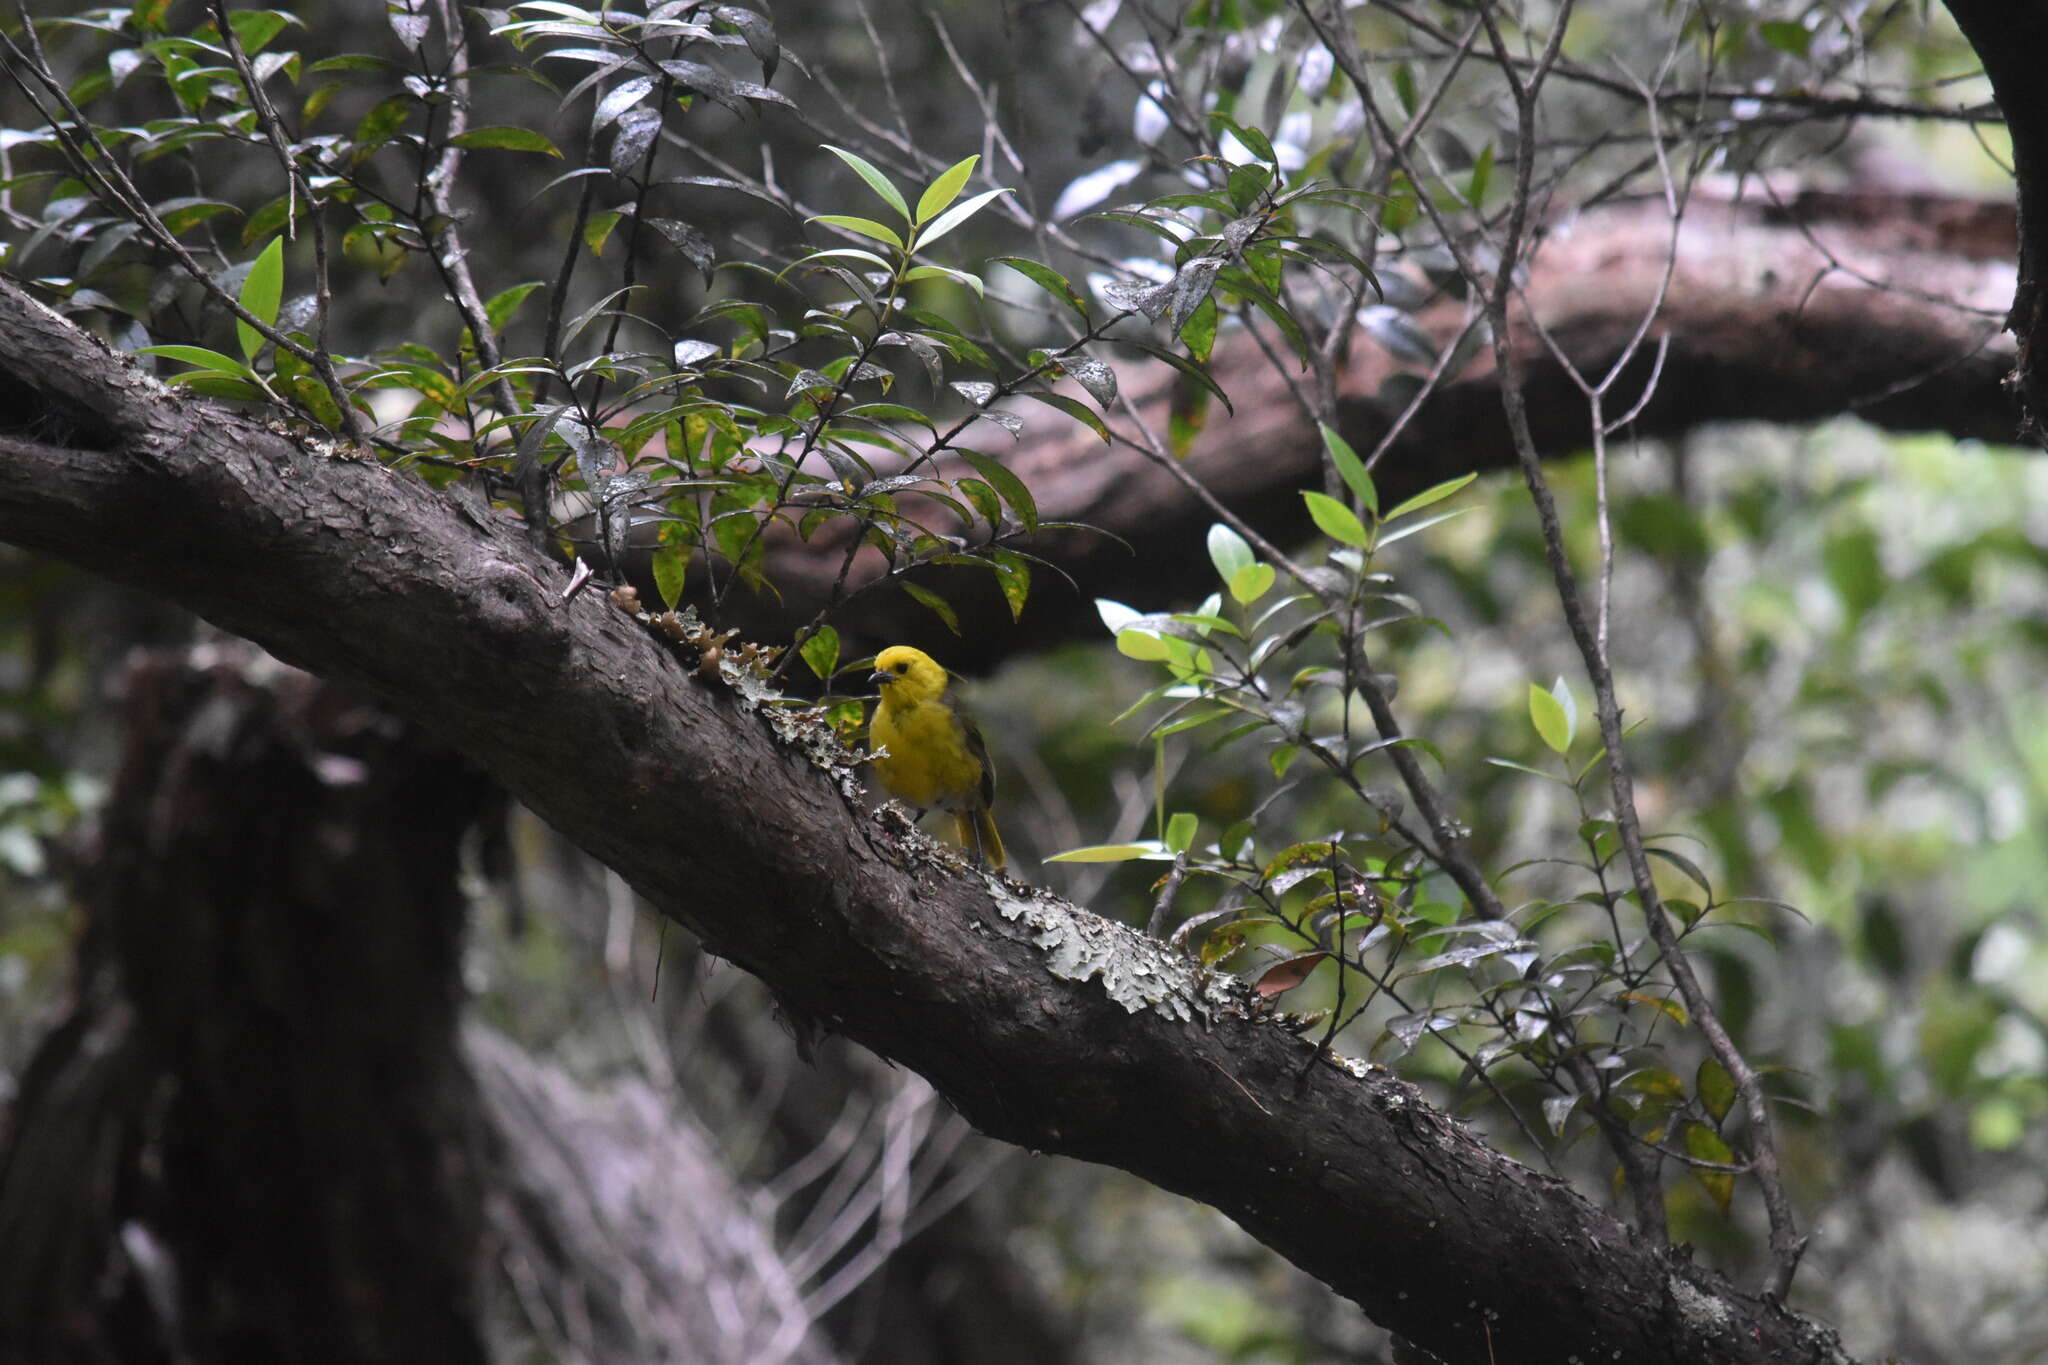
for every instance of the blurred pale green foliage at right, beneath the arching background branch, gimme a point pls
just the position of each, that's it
(1832, 644)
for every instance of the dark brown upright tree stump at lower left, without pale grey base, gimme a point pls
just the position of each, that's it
(253, 1137)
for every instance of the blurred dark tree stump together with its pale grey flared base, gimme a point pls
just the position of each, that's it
(259, 1133)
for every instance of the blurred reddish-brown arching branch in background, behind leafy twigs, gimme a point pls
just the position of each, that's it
(1799, 310)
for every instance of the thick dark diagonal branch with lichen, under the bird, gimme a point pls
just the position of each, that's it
(1043, 1024)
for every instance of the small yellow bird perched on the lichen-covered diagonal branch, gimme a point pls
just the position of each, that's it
(937, 756)
